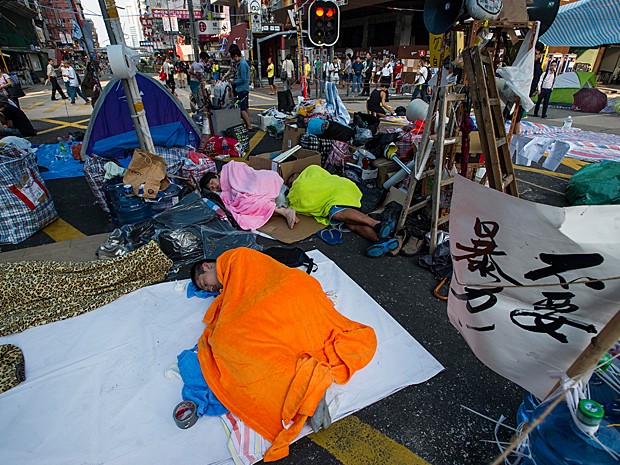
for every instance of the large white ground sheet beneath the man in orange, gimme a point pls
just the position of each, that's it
(96, 390)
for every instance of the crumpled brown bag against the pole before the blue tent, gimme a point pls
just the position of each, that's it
(149, 170)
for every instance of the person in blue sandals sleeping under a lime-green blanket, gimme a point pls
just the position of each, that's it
(334, 201)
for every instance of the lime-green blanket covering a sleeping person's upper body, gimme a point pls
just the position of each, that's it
(315, 191)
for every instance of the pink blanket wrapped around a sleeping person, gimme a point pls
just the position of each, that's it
(249, 194)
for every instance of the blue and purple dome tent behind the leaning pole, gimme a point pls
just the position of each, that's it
(111, 129)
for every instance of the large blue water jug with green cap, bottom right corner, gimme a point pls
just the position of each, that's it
(559, 441)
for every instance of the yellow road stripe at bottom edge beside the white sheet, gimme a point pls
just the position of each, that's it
(353, 442)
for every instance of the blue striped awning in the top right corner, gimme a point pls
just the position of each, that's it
(588, 23)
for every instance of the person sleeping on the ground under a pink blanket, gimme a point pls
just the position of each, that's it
(251, 196)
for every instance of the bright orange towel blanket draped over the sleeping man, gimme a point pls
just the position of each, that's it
(273, 345)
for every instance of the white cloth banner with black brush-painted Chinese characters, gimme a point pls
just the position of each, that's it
(531, 282)
